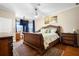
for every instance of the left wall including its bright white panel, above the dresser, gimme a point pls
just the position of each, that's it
(8, 18)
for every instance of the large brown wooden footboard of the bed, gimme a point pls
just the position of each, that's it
(34, 40)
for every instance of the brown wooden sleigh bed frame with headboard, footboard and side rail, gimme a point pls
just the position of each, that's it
(35, 40)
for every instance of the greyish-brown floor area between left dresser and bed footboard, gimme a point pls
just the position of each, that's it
(21, 49)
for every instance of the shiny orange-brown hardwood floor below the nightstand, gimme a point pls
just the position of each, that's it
(68, 50)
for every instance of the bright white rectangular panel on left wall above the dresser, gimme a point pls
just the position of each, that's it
(5, 25)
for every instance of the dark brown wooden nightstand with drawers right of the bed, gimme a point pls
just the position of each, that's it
(69, 38)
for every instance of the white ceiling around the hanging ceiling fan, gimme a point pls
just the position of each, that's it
(27, 9)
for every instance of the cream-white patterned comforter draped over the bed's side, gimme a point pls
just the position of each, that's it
(48, 38)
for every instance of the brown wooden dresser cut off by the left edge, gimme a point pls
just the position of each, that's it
(6, 45)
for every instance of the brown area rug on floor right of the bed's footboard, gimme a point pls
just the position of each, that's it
(53, 52)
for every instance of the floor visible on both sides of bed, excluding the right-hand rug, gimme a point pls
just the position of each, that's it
(21, 49)
